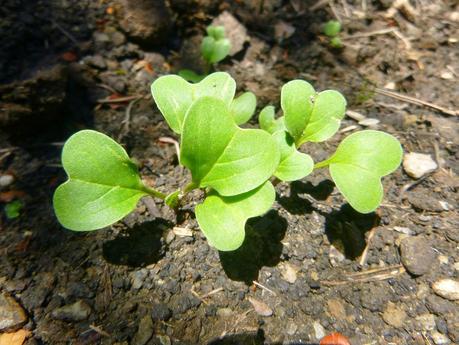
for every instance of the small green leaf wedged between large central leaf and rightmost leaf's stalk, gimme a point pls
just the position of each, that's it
(293, 165)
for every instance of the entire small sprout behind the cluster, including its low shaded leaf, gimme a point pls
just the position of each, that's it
(214, 48)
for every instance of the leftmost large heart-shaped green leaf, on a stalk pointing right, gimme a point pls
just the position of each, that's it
(103, 185)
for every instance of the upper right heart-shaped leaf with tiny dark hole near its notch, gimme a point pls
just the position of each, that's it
(311, 116)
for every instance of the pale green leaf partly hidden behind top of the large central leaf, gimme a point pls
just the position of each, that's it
(173, 95)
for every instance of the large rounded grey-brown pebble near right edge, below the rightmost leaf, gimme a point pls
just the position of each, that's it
(416, 255)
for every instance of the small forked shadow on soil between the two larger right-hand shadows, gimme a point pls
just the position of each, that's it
(296, 204)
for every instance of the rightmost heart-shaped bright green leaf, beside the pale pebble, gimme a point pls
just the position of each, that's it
(358, 164)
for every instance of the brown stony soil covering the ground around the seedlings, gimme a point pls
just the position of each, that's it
(319, 266)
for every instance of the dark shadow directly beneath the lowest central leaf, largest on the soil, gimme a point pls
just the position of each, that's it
(262, 247)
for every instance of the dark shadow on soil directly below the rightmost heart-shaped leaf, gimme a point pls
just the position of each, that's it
(346, 230)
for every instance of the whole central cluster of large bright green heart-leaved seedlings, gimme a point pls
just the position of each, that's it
(233, 166)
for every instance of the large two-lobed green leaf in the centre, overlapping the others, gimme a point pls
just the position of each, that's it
(223, 156)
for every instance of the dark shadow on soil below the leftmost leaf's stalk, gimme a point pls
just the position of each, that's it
(140, 246)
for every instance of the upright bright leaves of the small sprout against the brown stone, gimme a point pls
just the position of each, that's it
(215, 47)
